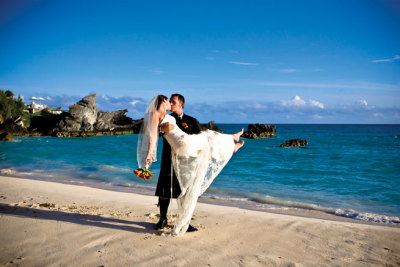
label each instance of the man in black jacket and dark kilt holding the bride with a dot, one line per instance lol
(165, 190)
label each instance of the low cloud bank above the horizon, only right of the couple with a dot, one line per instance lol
(293, 110)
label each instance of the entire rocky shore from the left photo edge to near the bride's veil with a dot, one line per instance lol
(82, 119)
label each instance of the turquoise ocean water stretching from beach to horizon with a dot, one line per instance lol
(347, 170)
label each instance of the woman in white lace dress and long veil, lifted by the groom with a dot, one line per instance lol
(197, 159)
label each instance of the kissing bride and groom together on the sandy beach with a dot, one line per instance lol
(191, 159)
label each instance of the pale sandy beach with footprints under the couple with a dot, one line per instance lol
(52, 224)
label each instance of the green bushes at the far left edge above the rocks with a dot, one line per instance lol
(9, 107)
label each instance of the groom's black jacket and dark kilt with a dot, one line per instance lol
(164, 180)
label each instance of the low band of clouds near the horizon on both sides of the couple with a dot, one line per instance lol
(292, 110)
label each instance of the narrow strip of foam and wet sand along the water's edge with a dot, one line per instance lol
(208, 199)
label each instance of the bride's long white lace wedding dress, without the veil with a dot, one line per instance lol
(197, 160)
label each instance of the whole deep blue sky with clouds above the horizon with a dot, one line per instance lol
(234, 61)
